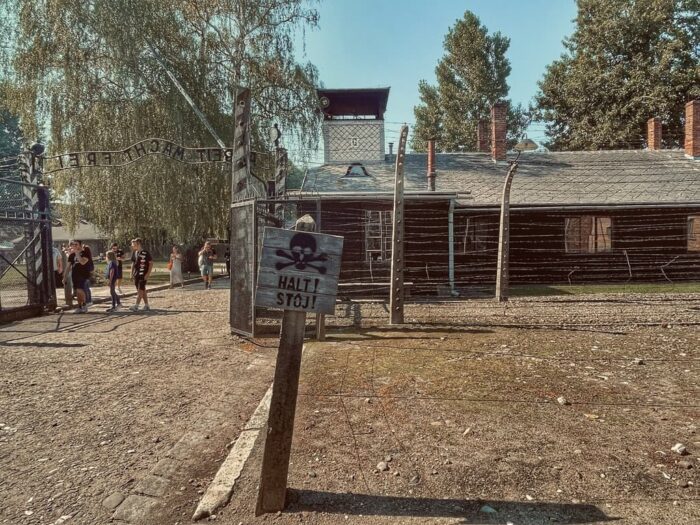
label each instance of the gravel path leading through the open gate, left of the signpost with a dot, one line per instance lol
(89, 404)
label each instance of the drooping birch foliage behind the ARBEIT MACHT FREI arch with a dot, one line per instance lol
(89, 71)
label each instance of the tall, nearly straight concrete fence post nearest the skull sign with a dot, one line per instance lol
(396, 286)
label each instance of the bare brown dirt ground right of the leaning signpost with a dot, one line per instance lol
(467, 422)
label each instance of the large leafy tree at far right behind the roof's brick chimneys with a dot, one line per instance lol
(627, 61)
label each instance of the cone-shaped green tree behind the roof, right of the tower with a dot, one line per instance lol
(471, 76)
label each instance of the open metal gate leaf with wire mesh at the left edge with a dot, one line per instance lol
(27, 284)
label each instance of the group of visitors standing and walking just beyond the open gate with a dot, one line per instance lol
(76, 274)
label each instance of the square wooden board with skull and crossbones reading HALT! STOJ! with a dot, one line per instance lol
(299, 271)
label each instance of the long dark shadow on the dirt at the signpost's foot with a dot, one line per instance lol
(473, 511)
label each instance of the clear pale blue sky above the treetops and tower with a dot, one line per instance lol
(396, 43)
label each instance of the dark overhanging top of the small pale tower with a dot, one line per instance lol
(359, 102)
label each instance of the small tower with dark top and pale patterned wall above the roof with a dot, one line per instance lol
(353, 124)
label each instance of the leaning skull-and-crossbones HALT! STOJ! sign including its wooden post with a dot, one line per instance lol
(298, 273)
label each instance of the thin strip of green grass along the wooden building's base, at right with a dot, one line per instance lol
(541, 290)
